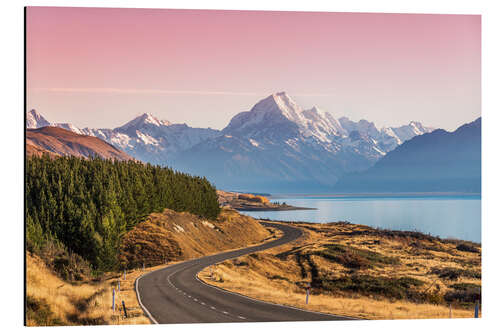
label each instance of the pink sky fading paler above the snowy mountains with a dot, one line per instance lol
(101, 67)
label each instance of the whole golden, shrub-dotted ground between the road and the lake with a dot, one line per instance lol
(359, 271)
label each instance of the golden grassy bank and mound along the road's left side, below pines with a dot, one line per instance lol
(169, 236)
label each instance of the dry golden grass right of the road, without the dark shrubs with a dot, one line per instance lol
(266, 277)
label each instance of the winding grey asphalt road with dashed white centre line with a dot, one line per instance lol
(175, 295)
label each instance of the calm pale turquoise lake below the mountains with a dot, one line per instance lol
(444, 216)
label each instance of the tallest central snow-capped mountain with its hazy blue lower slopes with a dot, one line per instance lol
(277, 146)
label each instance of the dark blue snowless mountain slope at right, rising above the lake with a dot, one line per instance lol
(434, 162)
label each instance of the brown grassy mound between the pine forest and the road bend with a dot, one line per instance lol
(171, 236)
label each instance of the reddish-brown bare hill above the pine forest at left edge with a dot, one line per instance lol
(62, 142)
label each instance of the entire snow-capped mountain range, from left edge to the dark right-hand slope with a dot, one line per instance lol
(275, 146)
